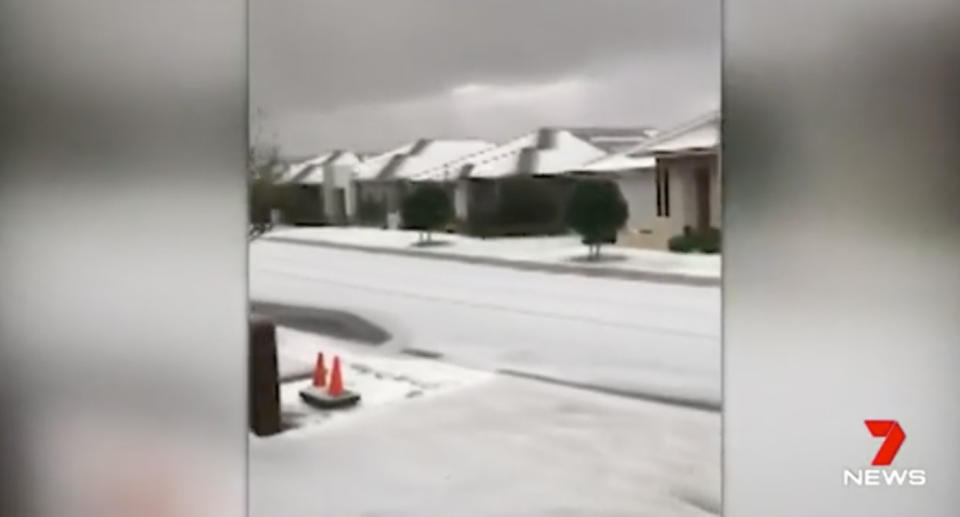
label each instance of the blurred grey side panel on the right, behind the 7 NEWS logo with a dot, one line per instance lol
(841, 272)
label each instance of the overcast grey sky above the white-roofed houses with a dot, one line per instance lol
(370, 75)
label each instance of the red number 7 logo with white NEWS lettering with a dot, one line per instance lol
(893, 437)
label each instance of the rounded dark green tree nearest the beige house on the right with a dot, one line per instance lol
(597, 211)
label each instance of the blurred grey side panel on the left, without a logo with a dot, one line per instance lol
(123, 256)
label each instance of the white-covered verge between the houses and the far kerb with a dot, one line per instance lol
(561, 250)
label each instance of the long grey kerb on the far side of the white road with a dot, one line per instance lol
(525, 265)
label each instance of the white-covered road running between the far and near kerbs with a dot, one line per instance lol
(657, 339)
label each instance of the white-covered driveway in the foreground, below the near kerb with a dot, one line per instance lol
(512, 447)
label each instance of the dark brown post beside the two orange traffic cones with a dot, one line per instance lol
(264, 388)
